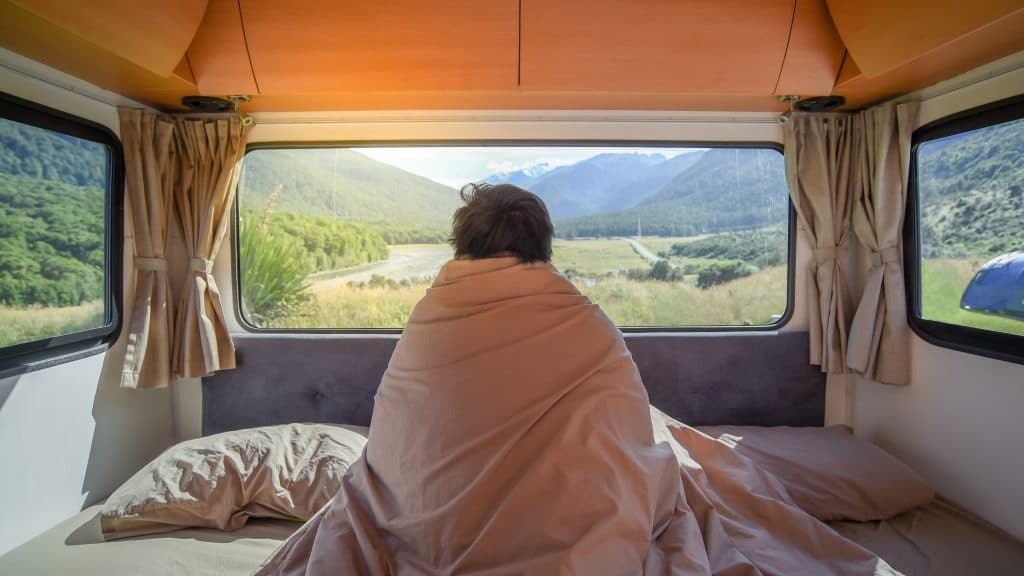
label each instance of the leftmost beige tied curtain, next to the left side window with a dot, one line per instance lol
(151, 167)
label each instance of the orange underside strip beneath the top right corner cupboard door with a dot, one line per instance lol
(990, 44)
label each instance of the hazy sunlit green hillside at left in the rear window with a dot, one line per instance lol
(345, 185)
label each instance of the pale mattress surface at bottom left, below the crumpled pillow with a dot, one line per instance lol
(77, 547)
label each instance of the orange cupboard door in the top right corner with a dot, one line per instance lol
(882, 34)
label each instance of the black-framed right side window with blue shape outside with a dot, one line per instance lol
(968, 280)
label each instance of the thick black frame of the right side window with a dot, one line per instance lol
(989, 344)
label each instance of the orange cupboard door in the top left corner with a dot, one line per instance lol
(152, 35)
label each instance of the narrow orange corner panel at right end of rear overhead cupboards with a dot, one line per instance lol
(815, 55)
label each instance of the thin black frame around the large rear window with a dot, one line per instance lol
(764, 145)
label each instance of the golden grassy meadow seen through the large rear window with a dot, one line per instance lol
(599, 268)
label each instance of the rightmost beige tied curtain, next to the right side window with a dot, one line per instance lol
(880, 337)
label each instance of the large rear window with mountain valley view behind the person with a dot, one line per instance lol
(675, 237)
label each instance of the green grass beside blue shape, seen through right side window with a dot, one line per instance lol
(944, 282)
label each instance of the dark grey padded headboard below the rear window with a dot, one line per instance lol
(753, 379)
